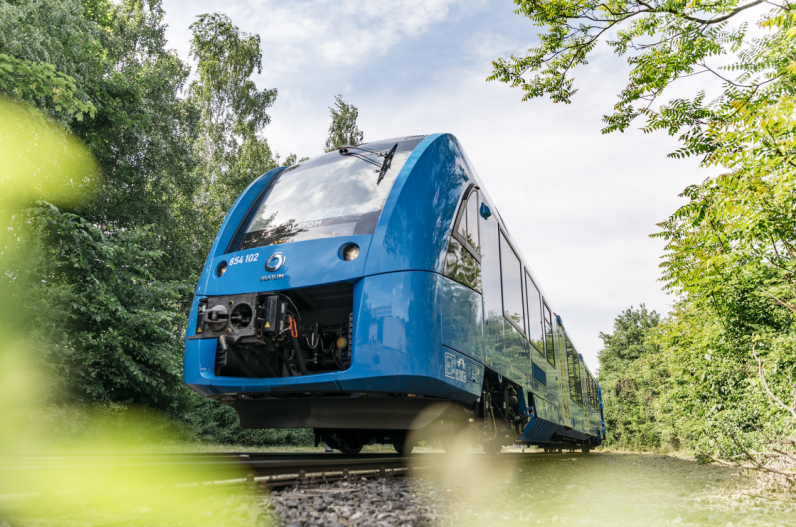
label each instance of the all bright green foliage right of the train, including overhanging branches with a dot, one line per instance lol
(730, 250)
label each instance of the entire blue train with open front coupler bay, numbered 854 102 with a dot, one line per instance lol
(375, 295)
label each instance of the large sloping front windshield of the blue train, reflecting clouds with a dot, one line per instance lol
(329, 196)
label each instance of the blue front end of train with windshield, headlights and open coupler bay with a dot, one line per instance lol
(318, 306)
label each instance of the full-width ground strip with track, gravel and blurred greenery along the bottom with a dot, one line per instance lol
(433, 489)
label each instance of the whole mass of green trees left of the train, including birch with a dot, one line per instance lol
(104, 278)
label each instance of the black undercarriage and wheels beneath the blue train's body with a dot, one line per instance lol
(349, 421)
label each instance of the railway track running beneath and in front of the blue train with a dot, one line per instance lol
(62, 473)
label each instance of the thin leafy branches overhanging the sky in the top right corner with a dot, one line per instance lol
(664, 41)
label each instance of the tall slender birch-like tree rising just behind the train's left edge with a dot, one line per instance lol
(233, 113)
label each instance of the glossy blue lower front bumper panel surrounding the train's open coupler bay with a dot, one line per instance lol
(397, 349)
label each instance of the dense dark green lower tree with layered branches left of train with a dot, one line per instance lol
(115, 335)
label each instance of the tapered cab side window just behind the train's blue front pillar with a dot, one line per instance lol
(462, 260)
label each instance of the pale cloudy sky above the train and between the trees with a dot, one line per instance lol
(580, 204)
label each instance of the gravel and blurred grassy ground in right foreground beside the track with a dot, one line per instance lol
(603, 489)
